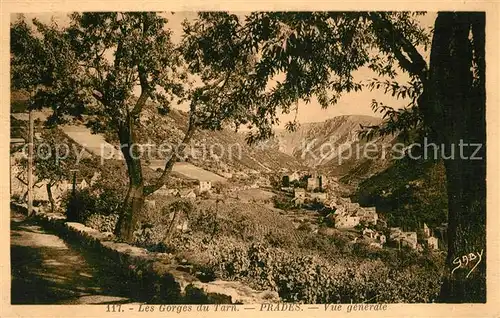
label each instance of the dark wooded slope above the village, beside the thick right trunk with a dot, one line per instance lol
(408, 193)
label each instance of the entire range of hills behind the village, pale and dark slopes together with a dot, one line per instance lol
(406, 192)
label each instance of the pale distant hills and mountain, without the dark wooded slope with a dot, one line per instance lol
(324, 146)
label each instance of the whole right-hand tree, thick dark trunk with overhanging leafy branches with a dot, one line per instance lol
(302, 46)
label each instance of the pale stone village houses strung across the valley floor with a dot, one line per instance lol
(310, 194)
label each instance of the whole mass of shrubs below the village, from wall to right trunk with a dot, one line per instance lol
(258, 247)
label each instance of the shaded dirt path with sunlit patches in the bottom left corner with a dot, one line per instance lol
(46, 270)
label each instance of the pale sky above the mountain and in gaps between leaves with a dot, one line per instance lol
(354, 103)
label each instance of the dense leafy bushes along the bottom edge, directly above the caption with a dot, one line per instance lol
(303, 278)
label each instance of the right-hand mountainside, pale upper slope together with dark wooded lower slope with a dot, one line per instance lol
(407, 192)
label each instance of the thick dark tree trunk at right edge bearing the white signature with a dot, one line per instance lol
(455, 108)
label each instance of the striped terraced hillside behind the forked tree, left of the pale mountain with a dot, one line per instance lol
(222, 151)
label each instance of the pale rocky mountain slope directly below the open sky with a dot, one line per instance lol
(333, 147)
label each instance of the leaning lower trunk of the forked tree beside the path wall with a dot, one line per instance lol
(131, 209)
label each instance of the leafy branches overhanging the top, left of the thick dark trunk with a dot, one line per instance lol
(282, 57)
